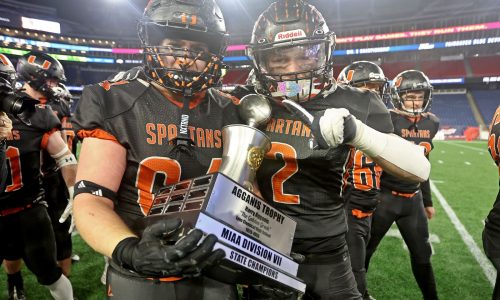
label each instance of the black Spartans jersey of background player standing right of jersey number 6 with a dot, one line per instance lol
(427, 126)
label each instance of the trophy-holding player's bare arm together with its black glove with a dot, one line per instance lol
(103, 163)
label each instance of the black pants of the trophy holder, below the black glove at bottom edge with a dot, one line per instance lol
(120, 286)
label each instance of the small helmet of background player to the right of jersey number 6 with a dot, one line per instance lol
(411, 81)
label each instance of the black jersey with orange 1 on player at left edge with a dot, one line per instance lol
(23, 157)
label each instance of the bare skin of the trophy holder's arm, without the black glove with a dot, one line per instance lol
(101, 162)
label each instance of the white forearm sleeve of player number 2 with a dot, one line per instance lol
(398, 151)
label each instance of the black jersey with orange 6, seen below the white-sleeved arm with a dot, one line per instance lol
(363, 182)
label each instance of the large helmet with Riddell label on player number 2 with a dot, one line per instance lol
(297, 27)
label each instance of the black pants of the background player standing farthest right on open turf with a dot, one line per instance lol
(409, 215)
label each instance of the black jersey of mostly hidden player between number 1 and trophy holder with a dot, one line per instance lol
(62, 112)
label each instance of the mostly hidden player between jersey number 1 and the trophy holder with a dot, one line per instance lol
(53, 183)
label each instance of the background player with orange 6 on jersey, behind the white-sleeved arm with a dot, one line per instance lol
(364, 175)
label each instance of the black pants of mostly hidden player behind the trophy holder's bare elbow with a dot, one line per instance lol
(57, 198)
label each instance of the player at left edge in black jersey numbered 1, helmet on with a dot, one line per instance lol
(25, 226)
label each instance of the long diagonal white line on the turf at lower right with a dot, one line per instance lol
(483, 261)
